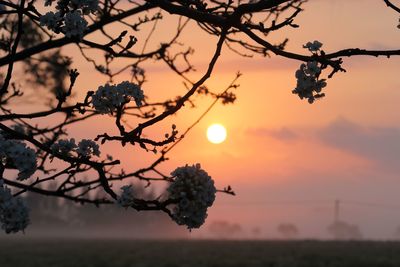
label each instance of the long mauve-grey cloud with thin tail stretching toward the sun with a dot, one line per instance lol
(380, 145)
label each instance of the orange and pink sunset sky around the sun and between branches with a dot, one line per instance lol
(288, 161)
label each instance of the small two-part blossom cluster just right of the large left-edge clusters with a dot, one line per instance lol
(85, 148)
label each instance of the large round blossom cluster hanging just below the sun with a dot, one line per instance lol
(194, 190)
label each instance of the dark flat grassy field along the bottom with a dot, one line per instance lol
(112, 253)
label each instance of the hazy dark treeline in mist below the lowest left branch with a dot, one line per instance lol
(58, 217)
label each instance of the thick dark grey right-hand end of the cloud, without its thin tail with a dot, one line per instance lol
(379, 144)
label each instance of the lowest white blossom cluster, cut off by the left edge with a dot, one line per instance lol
(14, 214)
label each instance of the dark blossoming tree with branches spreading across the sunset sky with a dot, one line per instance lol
(36, 141)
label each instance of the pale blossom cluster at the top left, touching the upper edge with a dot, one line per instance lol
(69, 16)
